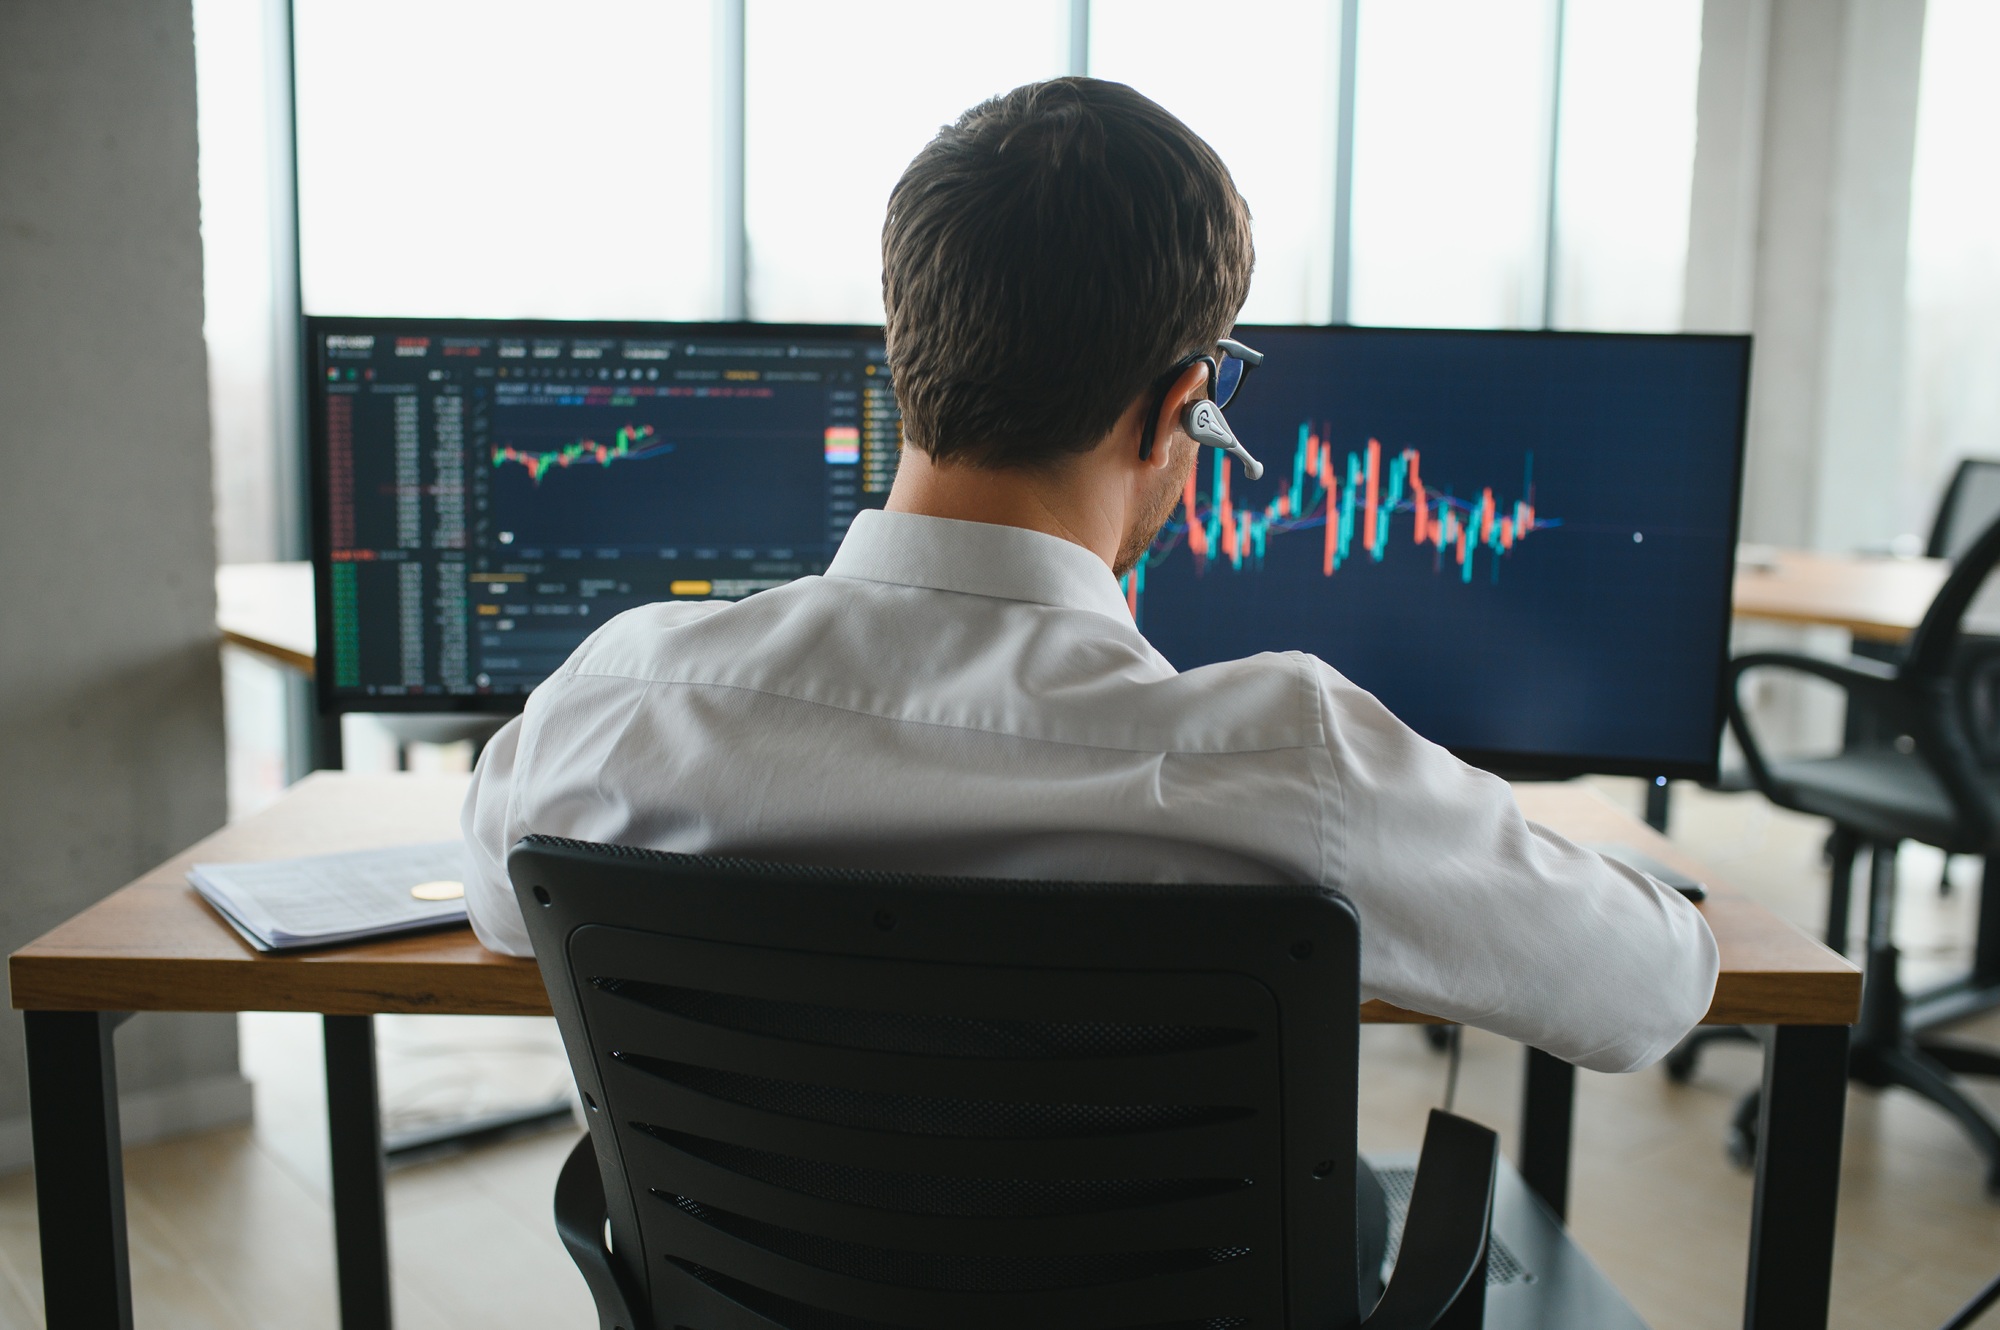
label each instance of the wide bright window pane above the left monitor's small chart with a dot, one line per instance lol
(507, 159)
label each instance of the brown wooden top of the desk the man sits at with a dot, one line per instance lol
(155, 945)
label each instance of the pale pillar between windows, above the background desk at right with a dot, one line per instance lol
(1799, 233)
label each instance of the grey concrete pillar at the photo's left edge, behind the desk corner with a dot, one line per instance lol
(111, 701)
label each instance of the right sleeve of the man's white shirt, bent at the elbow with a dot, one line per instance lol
(1477, 915)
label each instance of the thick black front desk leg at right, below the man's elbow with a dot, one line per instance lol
(1797, 1177)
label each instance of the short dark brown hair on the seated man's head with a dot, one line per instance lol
(1045, 261)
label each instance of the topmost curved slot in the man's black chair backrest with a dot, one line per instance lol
(931, 1037)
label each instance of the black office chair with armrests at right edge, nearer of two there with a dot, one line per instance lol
(1937, 783)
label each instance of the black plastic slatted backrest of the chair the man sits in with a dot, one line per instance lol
(855, 1099)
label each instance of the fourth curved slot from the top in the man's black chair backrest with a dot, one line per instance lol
(953, 1271)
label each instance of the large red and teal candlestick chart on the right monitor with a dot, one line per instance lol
(1369, 505)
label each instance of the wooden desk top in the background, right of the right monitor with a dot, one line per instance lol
(1875, 599)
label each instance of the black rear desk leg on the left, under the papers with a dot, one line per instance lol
(361, 1187)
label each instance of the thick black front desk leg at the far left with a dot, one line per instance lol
(79, 1171)
